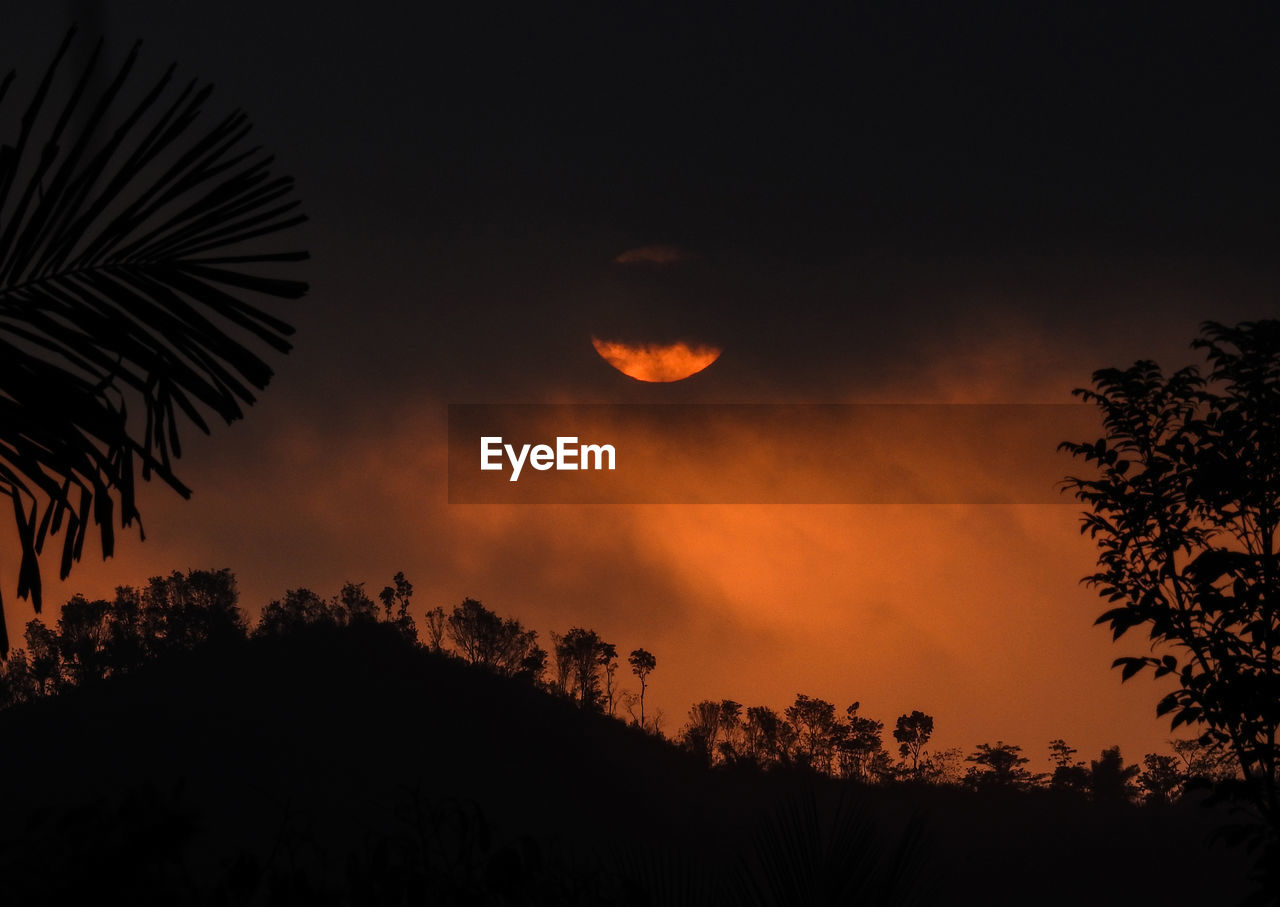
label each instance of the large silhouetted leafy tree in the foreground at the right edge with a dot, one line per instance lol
(1185, 509)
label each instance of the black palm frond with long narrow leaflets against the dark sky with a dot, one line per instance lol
(130, 256)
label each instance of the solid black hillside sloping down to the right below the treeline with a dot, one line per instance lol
(345, 766)
